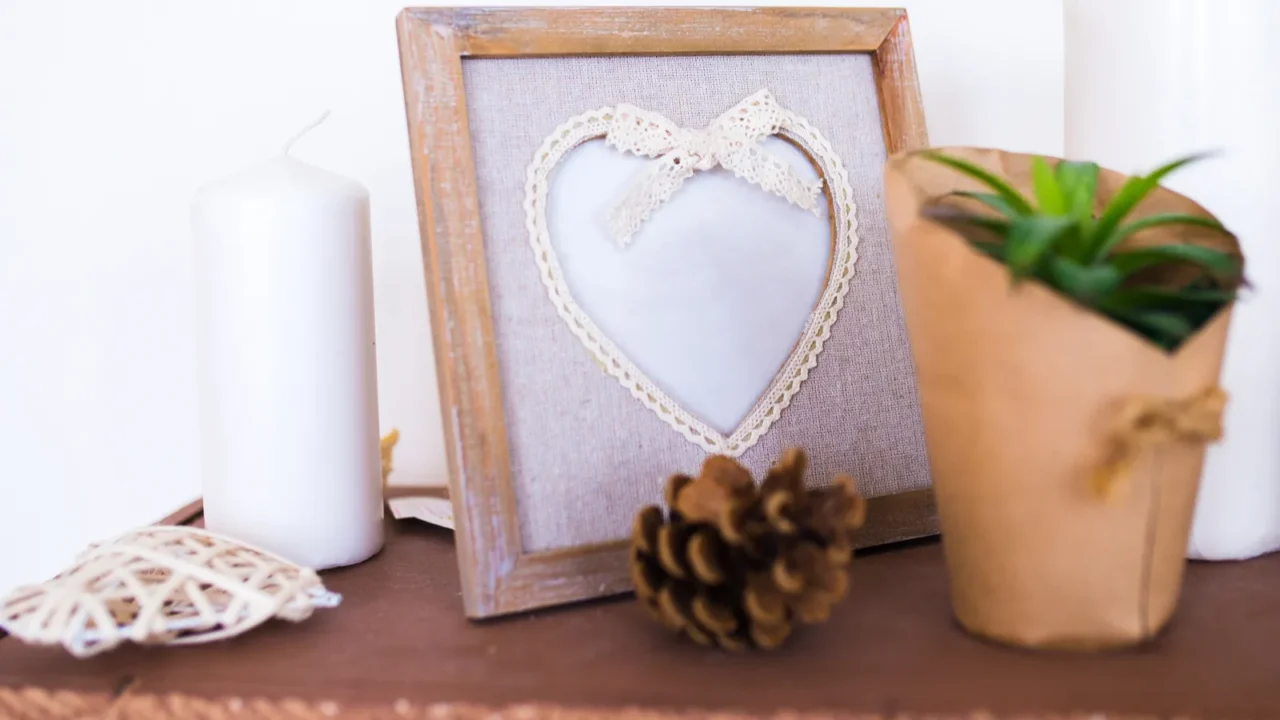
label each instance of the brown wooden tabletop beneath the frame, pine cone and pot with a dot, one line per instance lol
(400, 640)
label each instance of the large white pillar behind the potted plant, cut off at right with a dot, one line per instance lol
(1153, 80)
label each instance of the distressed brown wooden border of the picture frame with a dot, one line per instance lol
(499, 576)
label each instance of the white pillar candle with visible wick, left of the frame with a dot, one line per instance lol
(287, 366)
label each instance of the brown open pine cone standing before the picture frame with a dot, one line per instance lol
(738, 566)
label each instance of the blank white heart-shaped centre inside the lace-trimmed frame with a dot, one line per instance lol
(717, 288)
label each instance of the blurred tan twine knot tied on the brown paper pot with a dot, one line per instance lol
(1148, 422)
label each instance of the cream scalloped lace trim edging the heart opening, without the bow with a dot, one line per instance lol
(793, 375)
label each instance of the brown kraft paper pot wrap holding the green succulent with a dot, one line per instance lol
(1022, 394)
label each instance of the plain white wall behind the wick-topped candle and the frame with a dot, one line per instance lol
(112, 115)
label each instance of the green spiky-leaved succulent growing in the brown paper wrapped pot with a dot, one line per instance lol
(1062, 239)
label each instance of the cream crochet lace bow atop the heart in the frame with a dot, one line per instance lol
(730, 142)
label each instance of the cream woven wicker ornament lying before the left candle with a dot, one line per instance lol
(162, 586)
